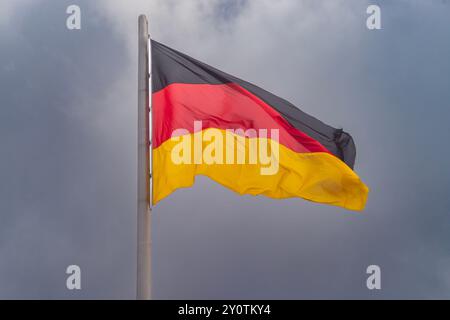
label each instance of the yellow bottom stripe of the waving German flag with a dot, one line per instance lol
(318, 177)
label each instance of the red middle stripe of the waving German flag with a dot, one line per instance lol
(221, 106)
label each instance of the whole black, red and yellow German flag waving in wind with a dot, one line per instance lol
(217, 125)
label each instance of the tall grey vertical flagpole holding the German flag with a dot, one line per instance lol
(144, 243)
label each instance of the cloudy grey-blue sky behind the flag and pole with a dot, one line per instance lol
(68, 129)
